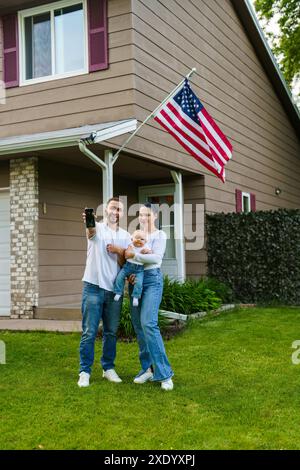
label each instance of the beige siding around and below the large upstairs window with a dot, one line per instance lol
(86, 99)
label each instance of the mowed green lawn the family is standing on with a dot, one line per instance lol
(235, 388)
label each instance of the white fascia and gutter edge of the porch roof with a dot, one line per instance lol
(64, 137)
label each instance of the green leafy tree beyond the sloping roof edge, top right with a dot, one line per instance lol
(285, 45)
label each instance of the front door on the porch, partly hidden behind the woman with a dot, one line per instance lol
(164, 194)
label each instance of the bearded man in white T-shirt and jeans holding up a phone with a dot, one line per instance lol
(107, 243)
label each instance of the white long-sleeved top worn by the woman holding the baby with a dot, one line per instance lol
(157, 241)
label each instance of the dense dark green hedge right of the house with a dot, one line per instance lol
(256, 254)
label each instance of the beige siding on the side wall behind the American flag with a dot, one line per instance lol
(171, 37)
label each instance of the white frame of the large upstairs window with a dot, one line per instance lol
(50, 7)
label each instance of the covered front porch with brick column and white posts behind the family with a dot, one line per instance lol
(49, 186)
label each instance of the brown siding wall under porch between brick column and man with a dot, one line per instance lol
(66, 190)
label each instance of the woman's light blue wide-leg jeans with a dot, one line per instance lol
(145, 322)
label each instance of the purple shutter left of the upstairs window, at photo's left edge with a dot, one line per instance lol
(11, 50)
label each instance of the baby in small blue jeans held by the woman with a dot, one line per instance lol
(139, 241)
